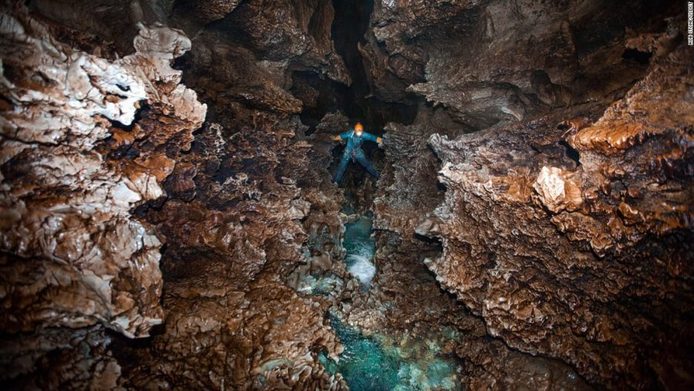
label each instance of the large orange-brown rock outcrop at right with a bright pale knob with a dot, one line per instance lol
(572, 240)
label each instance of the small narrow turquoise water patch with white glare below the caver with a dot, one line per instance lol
(360, 248)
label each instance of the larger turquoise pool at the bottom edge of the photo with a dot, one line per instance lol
(375, 364)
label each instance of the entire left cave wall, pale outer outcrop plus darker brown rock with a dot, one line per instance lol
(230, 208)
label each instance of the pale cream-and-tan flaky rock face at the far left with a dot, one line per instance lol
(73, 255)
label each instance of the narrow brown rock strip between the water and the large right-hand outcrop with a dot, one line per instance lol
(406, 197)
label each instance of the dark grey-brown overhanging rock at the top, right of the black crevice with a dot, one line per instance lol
(512, 61)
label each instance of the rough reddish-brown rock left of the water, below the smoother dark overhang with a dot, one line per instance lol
(230, 249)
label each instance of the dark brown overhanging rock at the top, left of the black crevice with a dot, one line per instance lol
(252, 56)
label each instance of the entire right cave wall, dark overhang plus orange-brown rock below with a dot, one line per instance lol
(572, 239)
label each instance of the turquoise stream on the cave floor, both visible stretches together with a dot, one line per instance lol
(381, 361)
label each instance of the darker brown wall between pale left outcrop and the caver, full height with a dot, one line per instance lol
(250, 211)
